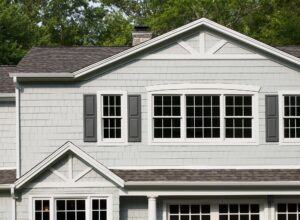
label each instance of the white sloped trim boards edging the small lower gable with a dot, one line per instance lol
(68, 147)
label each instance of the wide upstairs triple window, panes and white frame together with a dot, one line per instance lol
(203, 116)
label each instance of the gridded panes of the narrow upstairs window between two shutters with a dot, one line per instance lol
(111, 116)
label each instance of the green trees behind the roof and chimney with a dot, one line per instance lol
(24, 23)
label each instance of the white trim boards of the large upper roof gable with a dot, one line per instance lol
(196, 24)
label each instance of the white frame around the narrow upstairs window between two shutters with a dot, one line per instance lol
(124, 126)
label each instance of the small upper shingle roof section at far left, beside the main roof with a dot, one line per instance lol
(6, 82)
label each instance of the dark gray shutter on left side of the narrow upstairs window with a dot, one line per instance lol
(90, 118)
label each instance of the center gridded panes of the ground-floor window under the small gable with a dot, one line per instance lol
(70, 209)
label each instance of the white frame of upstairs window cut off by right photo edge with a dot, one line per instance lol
(282, 139)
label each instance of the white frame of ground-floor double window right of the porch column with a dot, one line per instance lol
(214, 205)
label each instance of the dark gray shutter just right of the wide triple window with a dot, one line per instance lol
(272, 119)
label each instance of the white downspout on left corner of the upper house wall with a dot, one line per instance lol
(17, 91)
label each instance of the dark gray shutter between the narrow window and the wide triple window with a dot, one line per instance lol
(134, 118)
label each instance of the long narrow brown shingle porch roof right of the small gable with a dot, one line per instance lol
(207, 175)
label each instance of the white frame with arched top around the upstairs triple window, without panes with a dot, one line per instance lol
(207, 89)
